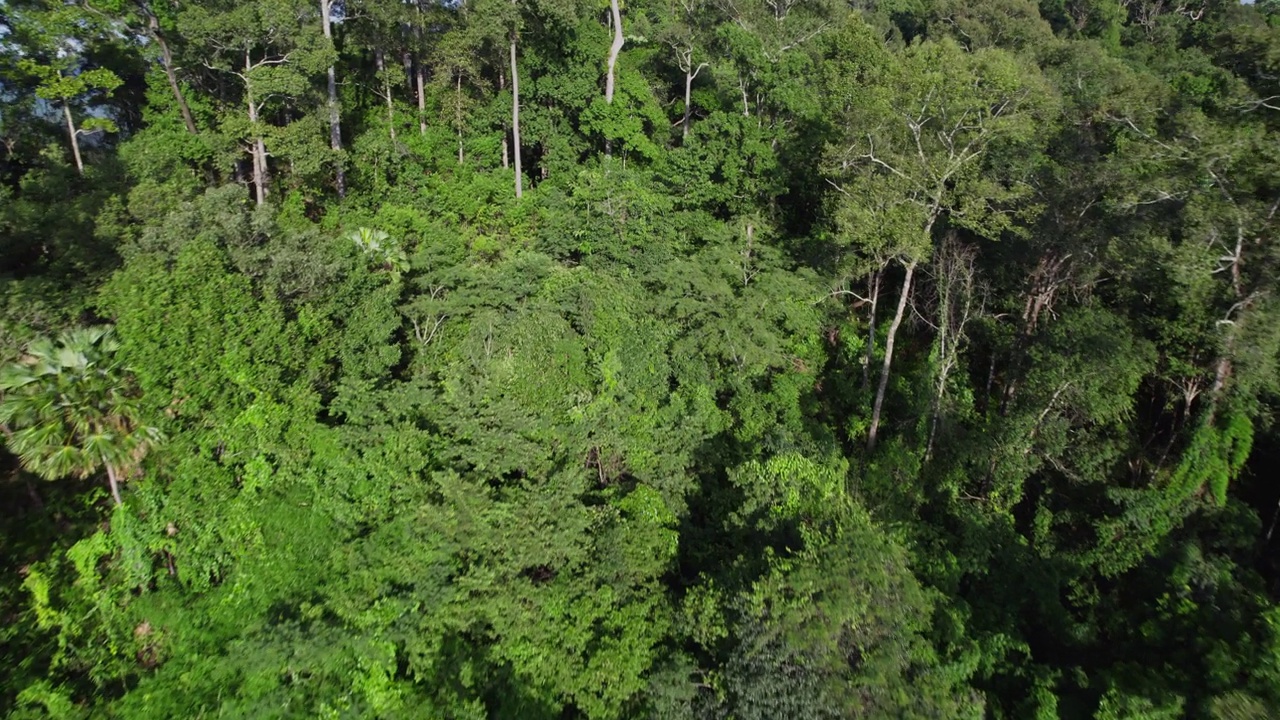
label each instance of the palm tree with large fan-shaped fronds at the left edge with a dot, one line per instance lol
(67, 409)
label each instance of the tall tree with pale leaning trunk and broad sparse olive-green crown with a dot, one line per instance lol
(913, 154)
